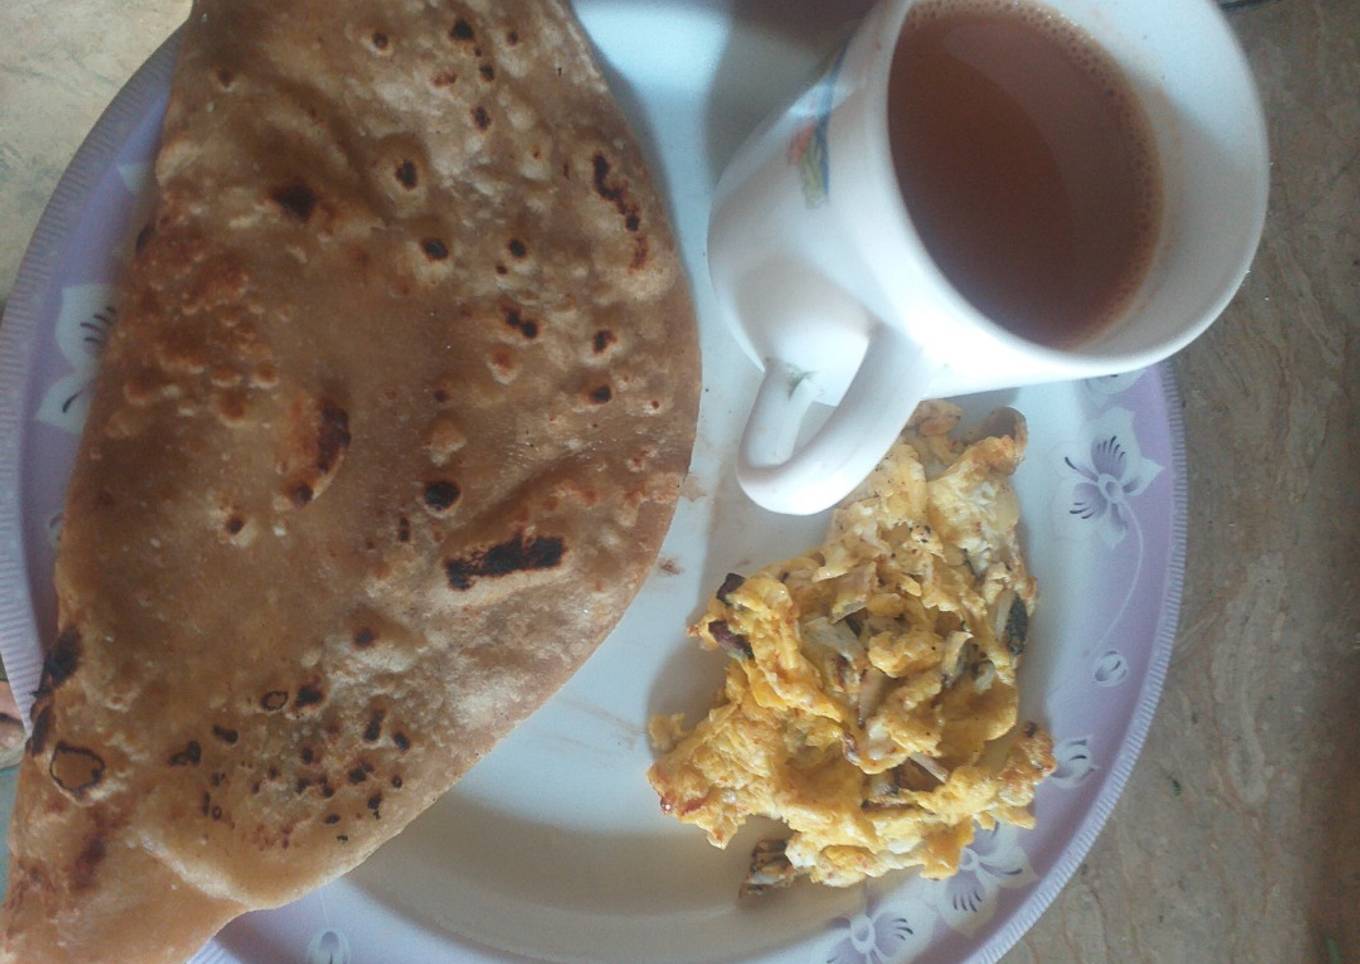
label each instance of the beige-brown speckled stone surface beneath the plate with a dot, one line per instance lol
(1238, 838)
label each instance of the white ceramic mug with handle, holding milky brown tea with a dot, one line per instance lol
(829, 288)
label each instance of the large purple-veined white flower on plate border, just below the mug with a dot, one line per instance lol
(1106, 474)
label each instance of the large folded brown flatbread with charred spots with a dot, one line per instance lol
(388, 436)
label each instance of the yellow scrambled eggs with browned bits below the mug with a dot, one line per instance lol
(871, 702)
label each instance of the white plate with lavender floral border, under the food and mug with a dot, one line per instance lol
(554, 848)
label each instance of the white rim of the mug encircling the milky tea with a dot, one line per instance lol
(1081, 361)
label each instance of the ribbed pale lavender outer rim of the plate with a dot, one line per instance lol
(20, 341)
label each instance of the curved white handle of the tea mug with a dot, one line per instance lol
(886, 391)
